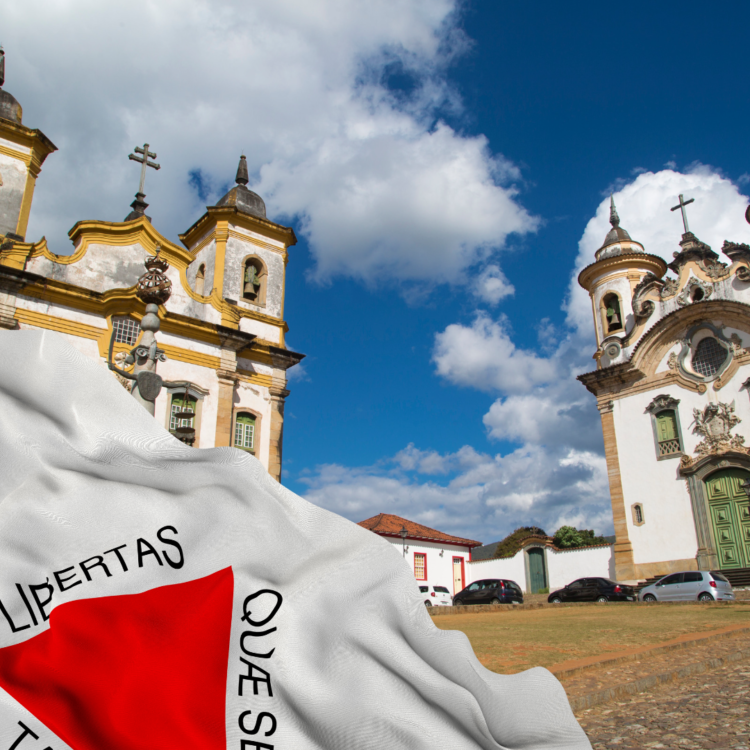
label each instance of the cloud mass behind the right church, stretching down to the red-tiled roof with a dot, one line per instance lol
(557, 475)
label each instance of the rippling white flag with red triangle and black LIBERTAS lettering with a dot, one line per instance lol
(157, 596)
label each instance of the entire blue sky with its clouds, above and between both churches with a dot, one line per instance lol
(447, 168)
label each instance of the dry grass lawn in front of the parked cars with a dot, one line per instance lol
(511, 641)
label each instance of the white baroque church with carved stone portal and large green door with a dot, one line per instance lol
(672, 385)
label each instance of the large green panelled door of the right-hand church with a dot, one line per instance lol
(729, 510)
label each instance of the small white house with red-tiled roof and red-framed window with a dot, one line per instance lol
(435, 557)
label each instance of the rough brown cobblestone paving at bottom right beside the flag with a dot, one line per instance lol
(708, 711)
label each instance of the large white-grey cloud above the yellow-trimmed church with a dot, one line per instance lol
(380, 186)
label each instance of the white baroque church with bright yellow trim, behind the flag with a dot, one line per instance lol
(222, 330)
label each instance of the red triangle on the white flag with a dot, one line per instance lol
(131, 672)
